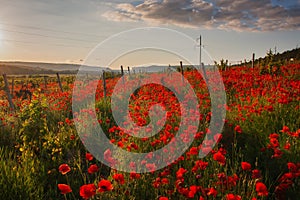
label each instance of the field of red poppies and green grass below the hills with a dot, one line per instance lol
(256, 156)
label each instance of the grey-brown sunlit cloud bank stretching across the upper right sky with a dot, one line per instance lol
(238, 15)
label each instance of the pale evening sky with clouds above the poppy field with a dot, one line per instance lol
(66, 31)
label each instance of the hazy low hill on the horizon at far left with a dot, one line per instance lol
(27, 68)
